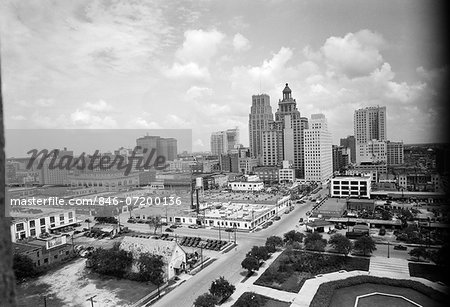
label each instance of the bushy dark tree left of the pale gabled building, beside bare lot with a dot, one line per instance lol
(113, 261)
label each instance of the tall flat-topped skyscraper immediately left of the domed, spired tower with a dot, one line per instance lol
(258, 120)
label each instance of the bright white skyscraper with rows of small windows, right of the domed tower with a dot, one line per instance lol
(318, 150)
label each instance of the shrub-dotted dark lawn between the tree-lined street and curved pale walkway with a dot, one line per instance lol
(293, 267)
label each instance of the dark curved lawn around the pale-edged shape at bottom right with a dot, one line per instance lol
(344, 297)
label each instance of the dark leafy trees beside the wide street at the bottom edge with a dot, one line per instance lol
(219, 292)
